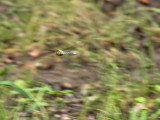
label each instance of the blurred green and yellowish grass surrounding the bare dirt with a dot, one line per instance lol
(127, 90)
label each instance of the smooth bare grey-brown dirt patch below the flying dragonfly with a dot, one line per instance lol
(63, 73)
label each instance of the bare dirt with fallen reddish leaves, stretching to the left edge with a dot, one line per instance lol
(55, 70)
